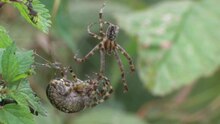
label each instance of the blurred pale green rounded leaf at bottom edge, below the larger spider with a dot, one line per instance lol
(107, 116)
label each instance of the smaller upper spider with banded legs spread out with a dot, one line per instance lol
(108, 45)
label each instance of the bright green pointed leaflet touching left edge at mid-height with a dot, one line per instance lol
(10, 64)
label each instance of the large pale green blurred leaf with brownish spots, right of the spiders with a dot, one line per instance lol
(178, 42)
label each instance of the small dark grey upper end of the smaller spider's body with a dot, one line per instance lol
(112, 32)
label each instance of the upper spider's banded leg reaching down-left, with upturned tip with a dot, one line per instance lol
(91, 53)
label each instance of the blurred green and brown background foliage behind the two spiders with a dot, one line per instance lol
(175, 46)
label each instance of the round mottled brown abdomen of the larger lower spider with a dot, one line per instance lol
(63, 98)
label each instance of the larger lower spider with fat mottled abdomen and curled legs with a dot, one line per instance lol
(75, 95)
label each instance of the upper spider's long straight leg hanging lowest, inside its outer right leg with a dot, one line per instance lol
(122, 71)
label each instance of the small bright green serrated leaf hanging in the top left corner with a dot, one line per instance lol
(43, 17)
